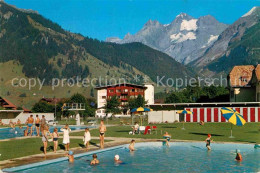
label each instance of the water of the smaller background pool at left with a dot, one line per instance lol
(7, 133)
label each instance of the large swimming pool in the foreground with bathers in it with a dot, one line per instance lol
(153, 157)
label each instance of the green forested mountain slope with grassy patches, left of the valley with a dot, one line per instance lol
(47, 51)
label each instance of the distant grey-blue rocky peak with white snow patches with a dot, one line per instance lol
(185, 38)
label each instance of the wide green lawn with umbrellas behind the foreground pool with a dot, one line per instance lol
(220, 132)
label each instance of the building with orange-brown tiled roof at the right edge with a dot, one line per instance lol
(244, 83)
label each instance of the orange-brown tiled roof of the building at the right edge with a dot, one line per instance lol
(240, 76)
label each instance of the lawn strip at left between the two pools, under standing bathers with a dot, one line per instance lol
(25, 147)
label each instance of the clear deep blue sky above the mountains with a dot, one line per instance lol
(105, 18)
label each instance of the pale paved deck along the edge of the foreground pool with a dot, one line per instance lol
(115, 141)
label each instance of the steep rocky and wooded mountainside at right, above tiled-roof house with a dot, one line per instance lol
(237, 45)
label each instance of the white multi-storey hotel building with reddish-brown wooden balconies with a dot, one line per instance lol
(124, 92)
